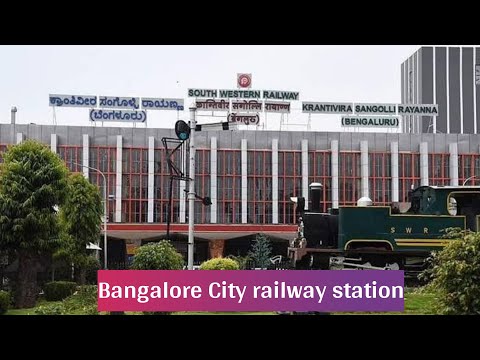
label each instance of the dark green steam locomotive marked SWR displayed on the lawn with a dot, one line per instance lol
(400, 236)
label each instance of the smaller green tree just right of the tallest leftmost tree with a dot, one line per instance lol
(80, 220)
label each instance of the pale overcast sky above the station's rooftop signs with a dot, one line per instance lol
(320, 73)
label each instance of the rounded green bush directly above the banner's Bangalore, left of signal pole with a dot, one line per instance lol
(157, 256)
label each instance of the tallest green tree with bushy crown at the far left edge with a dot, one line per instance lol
(32, 183)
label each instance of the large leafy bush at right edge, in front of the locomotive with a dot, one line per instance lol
(455, 273)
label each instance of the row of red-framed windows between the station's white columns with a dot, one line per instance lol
(259, 179)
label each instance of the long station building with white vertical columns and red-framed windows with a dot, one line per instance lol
(249, 176)
